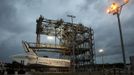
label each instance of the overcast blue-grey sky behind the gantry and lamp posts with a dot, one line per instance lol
(18, 22)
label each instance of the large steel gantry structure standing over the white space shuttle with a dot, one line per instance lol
(71, 36)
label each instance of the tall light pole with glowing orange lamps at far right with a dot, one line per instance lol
(116, 9)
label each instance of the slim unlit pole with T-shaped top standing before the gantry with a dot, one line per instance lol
(73, 53)
